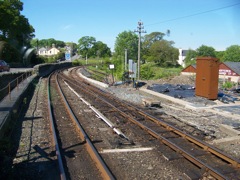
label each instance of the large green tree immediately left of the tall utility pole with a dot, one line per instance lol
(126, 40)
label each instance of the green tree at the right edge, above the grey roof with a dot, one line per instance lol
(232, 53)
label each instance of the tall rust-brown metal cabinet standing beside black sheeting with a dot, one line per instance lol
(207, 71)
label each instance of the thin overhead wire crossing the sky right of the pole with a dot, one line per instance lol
(187, 16)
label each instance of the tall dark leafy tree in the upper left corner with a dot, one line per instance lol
(15, 30)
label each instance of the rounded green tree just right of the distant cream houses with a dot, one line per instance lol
(85, 45)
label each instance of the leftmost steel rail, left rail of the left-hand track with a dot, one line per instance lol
(57, 149)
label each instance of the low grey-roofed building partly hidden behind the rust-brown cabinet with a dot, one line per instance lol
(227, 70)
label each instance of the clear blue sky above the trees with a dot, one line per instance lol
(192, 23)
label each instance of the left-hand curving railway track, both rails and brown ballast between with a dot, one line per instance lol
(76, 154)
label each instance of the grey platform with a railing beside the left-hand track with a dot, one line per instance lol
(11, 103)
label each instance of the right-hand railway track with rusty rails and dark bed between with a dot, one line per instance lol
(207, 160)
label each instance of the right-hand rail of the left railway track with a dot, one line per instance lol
(106, 173)
